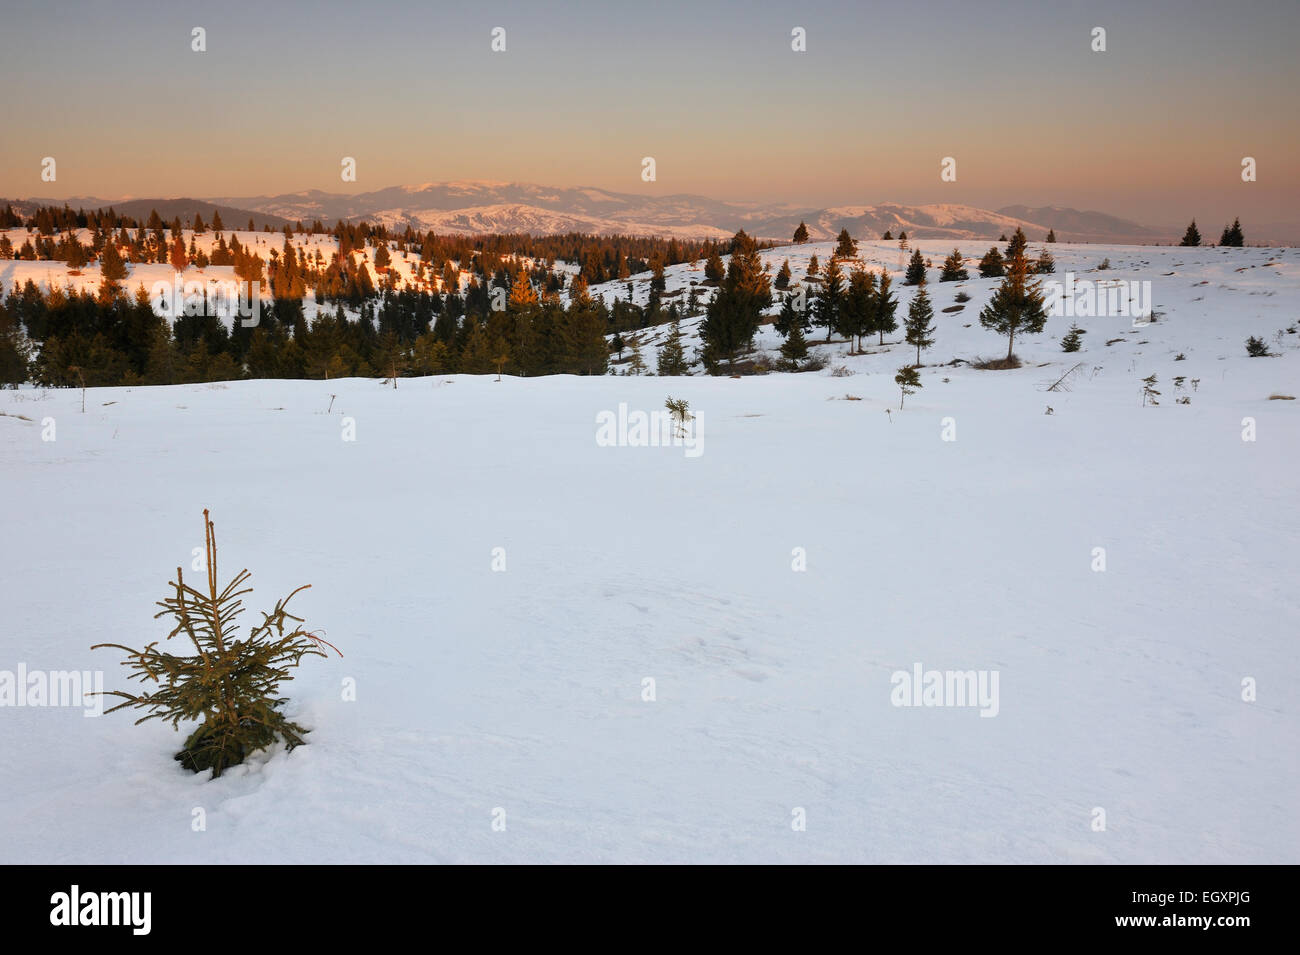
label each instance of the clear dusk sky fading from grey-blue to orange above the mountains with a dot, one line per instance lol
(1155, 129)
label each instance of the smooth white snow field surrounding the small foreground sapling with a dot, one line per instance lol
(523, 689)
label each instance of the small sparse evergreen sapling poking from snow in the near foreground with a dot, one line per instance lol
(231, 685)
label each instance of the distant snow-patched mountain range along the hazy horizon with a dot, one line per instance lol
(469, 209)
